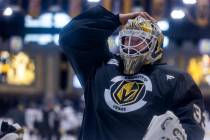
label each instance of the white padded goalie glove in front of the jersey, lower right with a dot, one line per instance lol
(165, 127)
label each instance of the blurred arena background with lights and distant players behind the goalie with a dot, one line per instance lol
(38, 88)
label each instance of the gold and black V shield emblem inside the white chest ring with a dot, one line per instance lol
(127, 92)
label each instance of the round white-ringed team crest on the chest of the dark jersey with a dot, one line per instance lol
(126, 93)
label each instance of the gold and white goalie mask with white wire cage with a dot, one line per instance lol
(140, 44)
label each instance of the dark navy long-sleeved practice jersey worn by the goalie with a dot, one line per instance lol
(118, 106)
